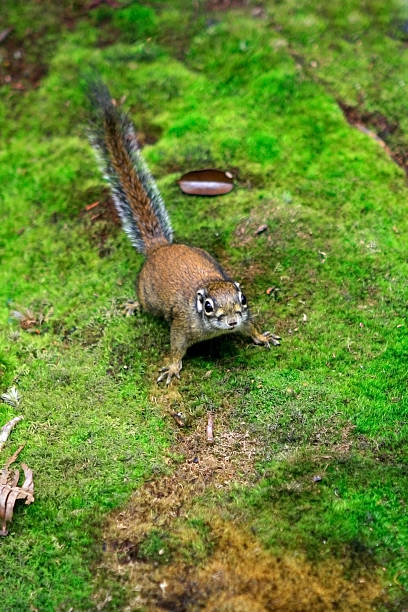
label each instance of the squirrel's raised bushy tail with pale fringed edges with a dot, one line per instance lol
(135, 193)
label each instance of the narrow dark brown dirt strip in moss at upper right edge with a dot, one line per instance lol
(378, 127)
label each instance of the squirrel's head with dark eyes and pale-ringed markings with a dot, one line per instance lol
(222, 306)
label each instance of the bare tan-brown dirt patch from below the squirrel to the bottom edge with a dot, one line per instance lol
(235, 573)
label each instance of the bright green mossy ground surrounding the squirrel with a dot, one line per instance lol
(256, 90)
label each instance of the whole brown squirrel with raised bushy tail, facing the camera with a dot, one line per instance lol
(183, 284)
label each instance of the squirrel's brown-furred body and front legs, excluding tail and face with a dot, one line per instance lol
(168, 285)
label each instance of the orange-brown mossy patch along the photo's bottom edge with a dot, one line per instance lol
(239, 575)
